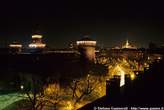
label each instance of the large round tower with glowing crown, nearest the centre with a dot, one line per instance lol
(86, 47)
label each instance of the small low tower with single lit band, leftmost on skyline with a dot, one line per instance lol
(15, 47)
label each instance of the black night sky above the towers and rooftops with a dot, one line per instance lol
(110, 23)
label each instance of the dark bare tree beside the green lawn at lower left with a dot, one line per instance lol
(32, 87)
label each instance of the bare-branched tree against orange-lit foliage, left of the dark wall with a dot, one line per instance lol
(82, 88)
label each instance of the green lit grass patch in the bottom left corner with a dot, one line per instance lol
(7, 99)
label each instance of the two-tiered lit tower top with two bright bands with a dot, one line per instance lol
(37, 41)
